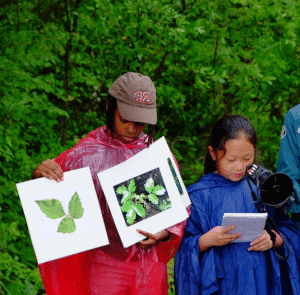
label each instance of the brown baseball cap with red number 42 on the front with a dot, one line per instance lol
(136, 97)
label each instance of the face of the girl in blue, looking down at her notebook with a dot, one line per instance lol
(232, 163)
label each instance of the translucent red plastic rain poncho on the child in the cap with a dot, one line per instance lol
(112, 266)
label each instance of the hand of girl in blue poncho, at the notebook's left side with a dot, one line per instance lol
(217, 236)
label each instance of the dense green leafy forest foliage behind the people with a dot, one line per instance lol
(206, 58)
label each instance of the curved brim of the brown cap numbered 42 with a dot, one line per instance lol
(136, 114)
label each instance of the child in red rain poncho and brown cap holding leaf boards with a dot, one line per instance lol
(141, 268)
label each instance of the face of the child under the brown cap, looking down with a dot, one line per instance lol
(126, 131)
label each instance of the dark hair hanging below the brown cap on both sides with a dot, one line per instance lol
(110, 119)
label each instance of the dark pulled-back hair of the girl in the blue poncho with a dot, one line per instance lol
(226, 128)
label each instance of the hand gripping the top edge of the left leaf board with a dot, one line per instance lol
(50, 170)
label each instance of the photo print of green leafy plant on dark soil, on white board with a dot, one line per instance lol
(142, 197)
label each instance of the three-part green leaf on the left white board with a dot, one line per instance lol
(53, 209)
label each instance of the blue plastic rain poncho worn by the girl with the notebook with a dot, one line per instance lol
(231, 269)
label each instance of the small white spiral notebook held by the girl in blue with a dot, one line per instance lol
(250, 225)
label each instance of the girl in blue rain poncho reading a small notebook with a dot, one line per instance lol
(207, 261)
